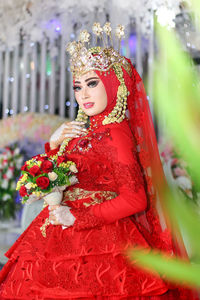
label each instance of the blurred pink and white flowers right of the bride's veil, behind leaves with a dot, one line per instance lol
(179, 171)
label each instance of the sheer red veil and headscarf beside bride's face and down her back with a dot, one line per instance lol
(151, 222)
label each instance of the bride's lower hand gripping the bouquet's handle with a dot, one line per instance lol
(61, 215)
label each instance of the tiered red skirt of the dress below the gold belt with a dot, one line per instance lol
(87, 264)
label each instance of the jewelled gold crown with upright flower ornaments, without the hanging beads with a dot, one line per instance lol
(96, 58)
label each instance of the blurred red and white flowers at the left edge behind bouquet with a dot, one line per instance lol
(10, 164)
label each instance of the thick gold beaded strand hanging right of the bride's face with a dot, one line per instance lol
(118, 113)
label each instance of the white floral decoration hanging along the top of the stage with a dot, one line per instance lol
(35, 20)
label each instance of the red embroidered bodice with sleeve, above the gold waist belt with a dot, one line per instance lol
(107, 161)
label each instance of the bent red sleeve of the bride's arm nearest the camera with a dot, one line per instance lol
(129, 184)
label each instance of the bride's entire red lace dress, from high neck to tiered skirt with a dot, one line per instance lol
(87, 260)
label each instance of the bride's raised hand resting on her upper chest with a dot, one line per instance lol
(67, 130)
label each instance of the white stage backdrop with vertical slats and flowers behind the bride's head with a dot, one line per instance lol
(34, 67)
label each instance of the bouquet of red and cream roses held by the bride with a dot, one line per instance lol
(43, 175)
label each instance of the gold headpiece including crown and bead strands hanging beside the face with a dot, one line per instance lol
(101, 59)
